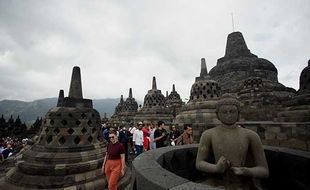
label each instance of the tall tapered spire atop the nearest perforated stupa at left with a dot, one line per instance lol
(76, 84)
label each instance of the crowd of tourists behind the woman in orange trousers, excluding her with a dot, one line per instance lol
(147, 136)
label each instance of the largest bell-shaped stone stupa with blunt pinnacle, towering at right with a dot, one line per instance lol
(239, 64)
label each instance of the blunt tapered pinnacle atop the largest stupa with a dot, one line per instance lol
(236, 46)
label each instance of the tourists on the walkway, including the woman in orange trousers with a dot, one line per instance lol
(135, 140)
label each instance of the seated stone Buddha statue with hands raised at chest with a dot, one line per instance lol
(239, 158)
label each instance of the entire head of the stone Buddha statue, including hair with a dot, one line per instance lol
(228, 110)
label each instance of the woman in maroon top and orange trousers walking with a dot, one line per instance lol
(114, 162)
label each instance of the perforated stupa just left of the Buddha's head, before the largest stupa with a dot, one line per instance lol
(201, 107)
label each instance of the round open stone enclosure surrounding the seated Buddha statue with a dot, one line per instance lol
(174, 168)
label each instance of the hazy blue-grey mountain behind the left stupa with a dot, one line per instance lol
(29, 111)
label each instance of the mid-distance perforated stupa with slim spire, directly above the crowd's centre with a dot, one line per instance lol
(154, 107)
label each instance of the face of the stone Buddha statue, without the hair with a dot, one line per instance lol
(228, 114)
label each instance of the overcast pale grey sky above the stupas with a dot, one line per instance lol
(121, 44)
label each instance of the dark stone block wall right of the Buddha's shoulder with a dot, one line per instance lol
(282, 134)
